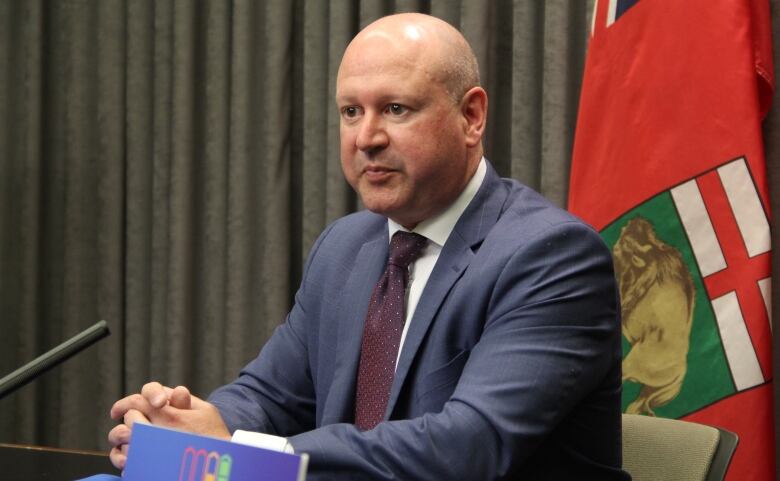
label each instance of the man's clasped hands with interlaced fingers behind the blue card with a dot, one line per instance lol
(163, 406)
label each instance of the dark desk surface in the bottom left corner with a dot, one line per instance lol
(30, 463)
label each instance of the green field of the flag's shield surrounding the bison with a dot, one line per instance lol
(706, 377)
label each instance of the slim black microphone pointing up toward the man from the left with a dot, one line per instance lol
(46, 361)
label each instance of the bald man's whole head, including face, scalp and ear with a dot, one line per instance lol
(412, 116)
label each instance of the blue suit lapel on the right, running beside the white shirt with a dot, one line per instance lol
(477, 220)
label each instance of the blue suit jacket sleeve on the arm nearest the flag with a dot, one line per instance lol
(548, 343)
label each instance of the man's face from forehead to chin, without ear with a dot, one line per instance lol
(402, 135)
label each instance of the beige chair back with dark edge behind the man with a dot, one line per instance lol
(658, 449)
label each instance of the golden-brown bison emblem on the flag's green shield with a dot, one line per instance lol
(657, 297)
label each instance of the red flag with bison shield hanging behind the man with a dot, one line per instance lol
(669, 166)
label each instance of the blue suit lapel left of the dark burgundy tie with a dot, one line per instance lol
(370, 263)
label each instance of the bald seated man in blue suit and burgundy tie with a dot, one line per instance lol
(509, 361)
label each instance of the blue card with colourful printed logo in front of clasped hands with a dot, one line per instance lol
(162, 454)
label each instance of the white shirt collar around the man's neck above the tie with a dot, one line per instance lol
(439, 227)
